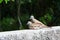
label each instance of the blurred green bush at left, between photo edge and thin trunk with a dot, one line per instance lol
(9, 24)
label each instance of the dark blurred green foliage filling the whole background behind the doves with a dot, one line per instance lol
(47, 11)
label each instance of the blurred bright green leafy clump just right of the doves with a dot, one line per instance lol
(47, 18)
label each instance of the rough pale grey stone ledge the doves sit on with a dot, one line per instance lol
(52, 33)
